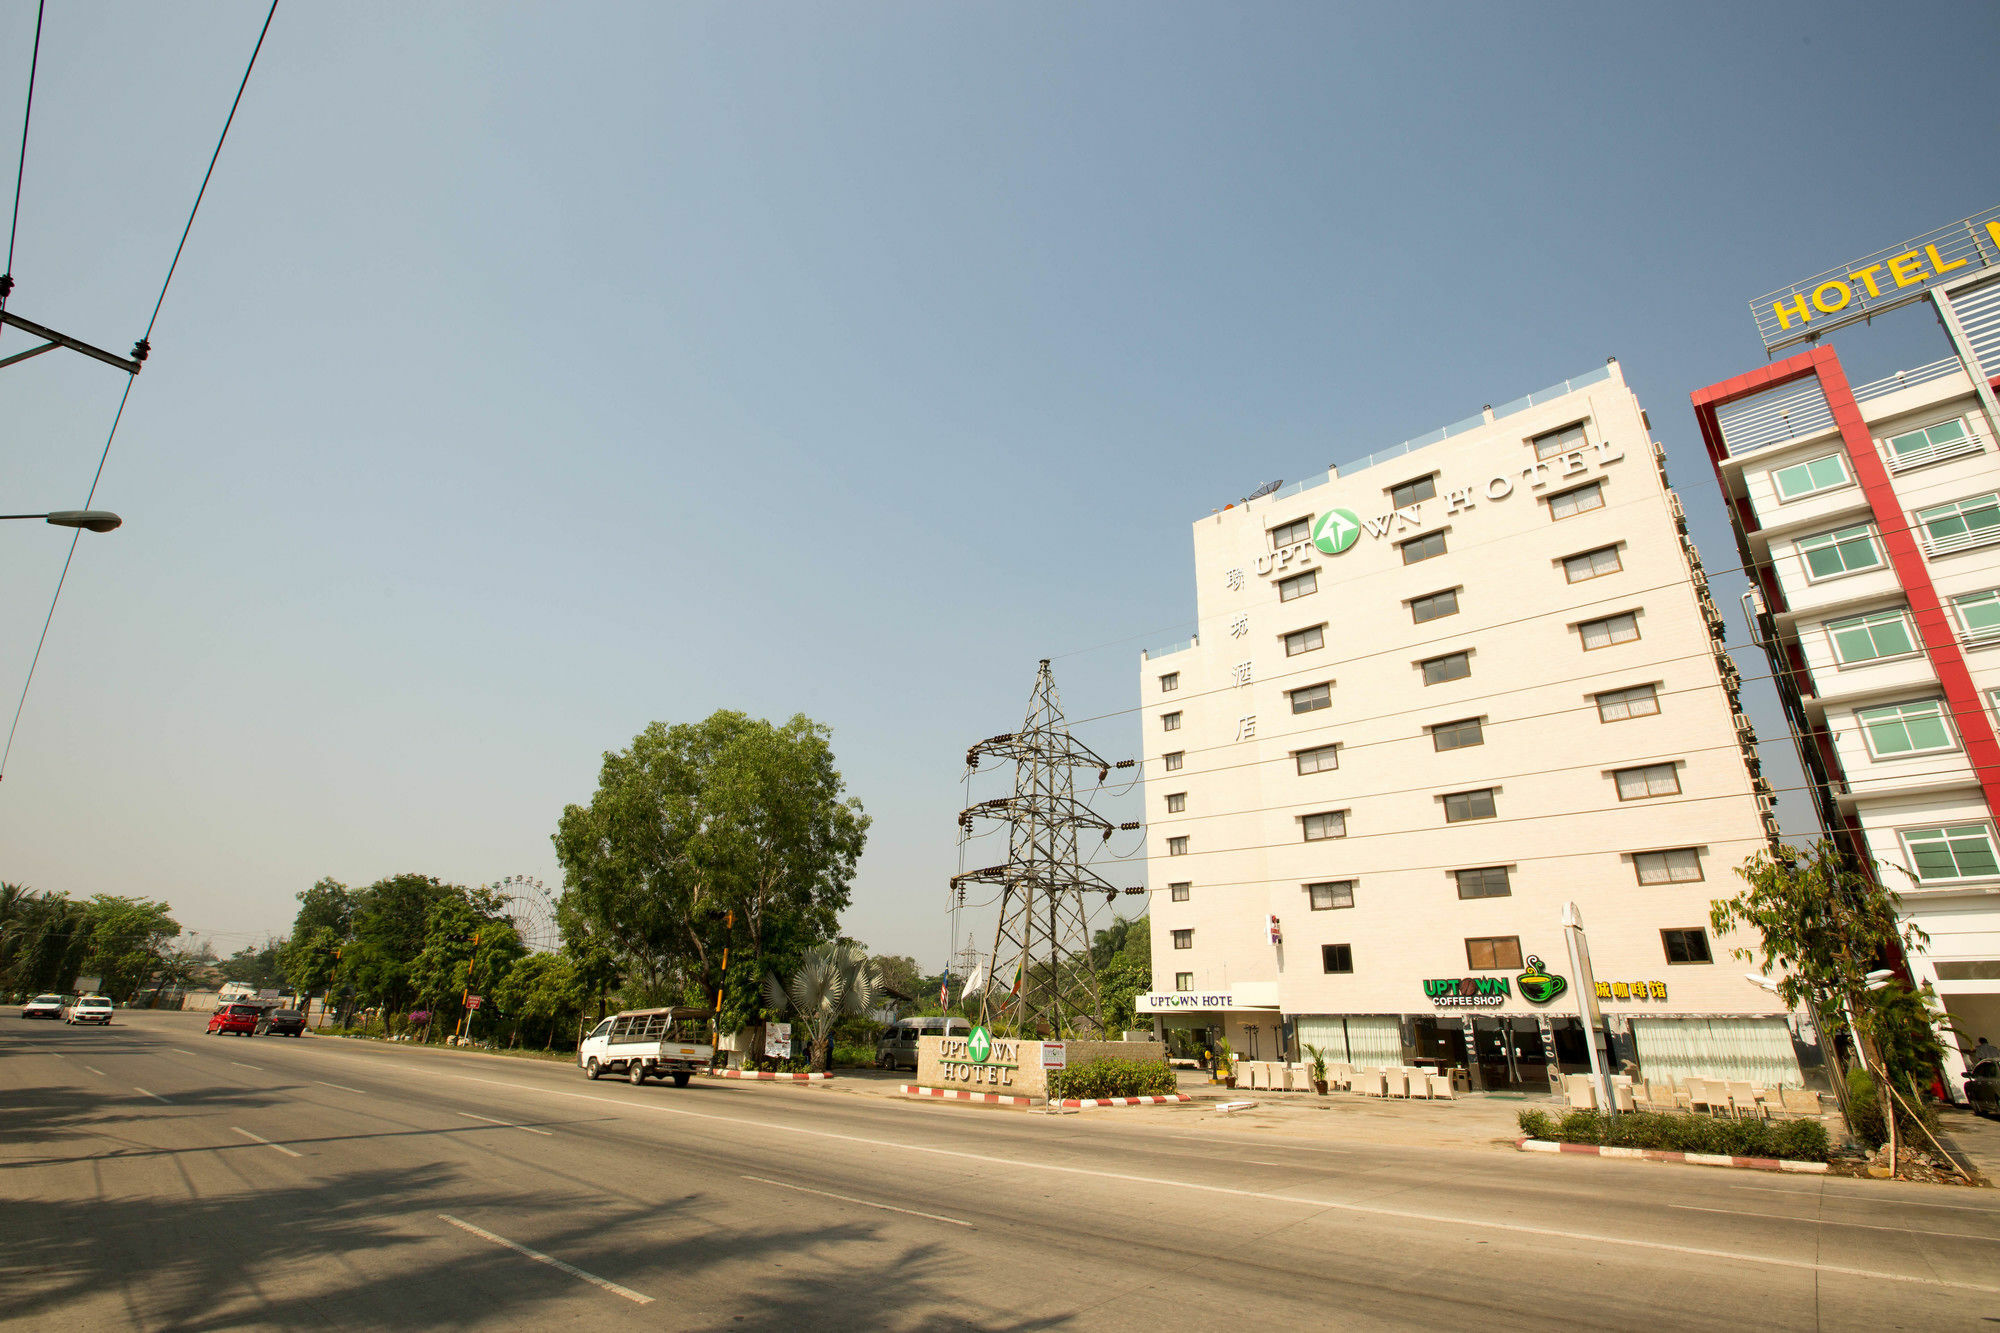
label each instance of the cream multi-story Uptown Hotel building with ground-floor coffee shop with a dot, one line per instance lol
(1437, 696)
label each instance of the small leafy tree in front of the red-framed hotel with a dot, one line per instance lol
(1825, 922)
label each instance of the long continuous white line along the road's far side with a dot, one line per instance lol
(1585, 1238)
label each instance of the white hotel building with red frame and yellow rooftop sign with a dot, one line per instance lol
(1871, 523)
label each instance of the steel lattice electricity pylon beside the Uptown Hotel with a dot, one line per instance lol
(1041, 962)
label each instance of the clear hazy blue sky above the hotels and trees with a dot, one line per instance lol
(535, 373)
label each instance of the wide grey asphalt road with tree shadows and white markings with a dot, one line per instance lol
(163, 1180)
